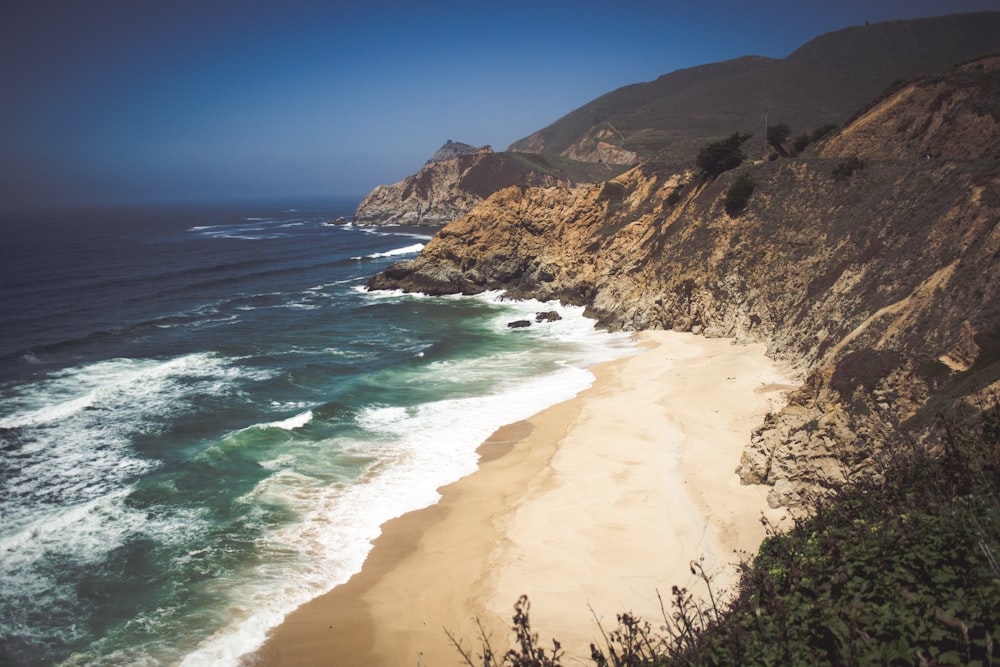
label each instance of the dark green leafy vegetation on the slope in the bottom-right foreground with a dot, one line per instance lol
(899, 569)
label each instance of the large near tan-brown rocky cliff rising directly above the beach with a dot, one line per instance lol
(869, 263)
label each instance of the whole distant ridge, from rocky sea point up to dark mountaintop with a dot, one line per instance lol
(667, 120)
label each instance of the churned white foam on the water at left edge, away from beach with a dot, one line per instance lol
(70, 469)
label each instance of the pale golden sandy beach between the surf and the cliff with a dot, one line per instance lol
(590, 507)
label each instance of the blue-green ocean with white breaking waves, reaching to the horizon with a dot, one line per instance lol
(205, 418)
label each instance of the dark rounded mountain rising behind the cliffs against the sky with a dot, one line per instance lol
(823, 82)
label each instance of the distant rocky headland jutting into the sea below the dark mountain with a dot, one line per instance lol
(458, 177)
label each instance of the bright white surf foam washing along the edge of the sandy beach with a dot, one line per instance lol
(414, 451)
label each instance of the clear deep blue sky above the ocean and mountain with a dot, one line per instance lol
(149, 101)
